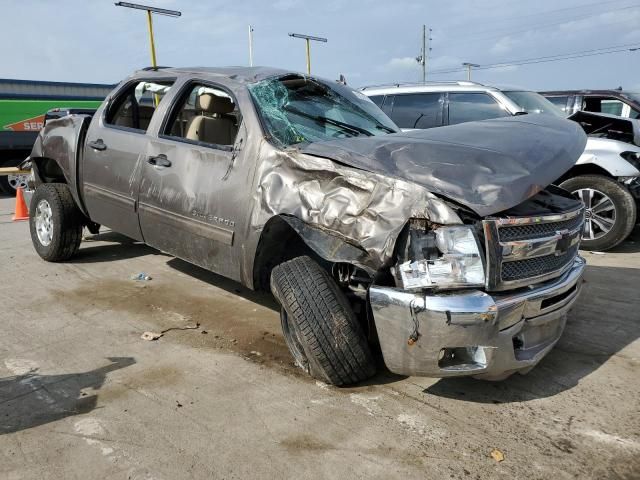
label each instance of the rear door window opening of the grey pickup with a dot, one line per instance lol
(134, 107)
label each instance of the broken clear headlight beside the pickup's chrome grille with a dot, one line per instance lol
(450, 257)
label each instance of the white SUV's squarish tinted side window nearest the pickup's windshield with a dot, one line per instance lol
(420, 110)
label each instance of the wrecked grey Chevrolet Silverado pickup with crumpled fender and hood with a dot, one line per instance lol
(445, 246)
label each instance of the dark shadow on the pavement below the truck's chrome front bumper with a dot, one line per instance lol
(601, 324)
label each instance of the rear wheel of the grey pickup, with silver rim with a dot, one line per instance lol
(55, 222)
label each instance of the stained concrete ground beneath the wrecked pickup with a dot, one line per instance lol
(83, 396)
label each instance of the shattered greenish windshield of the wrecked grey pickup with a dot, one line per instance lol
(297, 109)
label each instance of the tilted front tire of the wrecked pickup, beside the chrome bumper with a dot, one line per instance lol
(318, 324)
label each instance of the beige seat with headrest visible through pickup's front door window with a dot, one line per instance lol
(210, 125)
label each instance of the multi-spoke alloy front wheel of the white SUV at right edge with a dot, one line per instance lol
(594, 191)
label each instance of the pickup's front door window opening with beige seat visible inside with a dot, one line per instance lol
(207, 115)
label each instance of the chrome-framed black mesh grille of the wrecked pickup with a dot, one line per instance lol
(526, 250)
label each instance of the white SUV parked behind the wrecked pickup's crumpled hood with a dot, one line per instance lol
(606, 177)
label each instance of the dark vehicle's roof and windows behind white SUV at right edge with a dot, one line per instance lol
(613, 102)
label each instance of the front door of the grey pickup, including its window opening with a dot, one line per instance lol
(188, 186)
